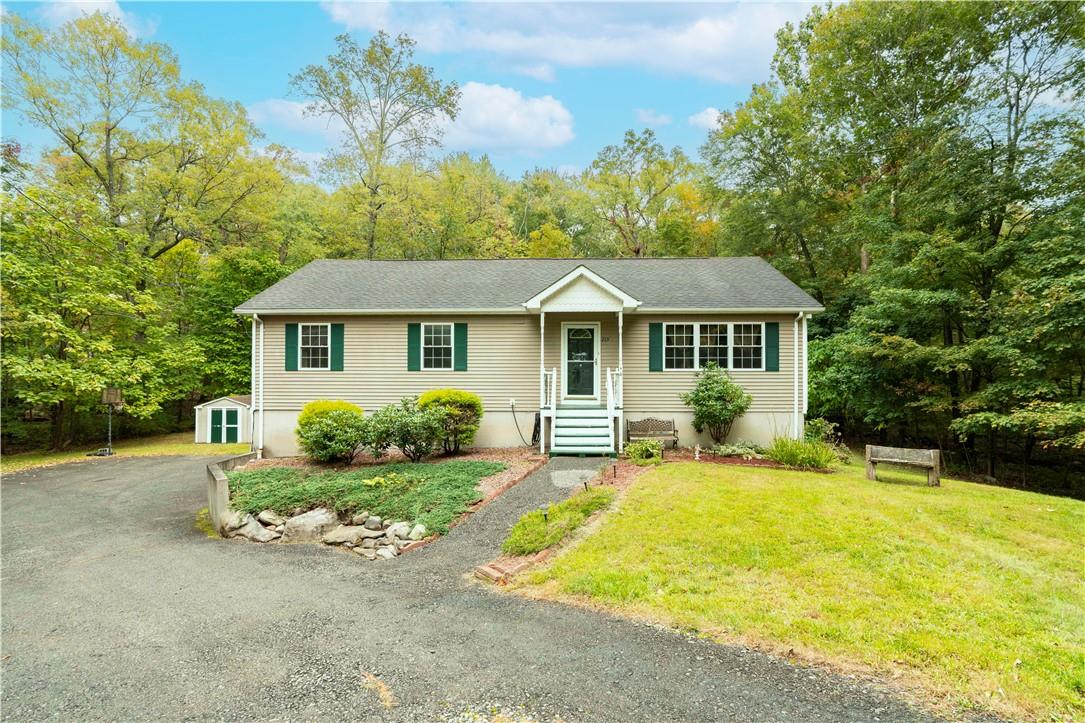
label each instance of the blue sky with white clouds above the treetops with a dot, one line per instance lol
(544, 84)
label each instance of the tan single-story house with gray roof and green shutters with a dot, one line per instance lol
(584, 344)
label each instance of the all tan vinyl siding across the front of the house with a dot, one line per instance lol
(504, 362)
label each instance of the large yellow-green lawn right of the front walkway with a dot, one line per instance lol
(972, 595)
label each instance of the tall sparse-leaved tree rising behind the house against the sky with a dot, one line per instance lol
(391, 110)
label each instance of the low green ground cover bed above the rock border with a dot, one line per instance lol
(433, 494)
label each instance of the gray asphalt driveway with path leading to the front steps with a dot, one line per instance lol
(114, 606)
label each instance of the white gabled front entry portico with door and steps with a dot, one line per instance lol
(581, 395)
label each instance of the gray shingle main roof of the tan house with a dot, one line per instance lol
(497, 285)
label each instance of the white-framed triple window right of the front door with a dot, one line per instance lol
(729, 346)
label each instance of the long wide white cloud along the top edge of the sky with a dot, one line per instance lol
(726, 43)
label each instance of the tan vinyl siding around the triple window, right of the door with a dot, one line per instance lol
(658, 391)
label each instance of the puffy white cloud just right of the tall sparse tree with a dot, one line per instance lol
(503, 120)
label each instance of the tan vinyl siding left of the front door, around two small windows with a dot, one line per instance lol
(503, 363)
